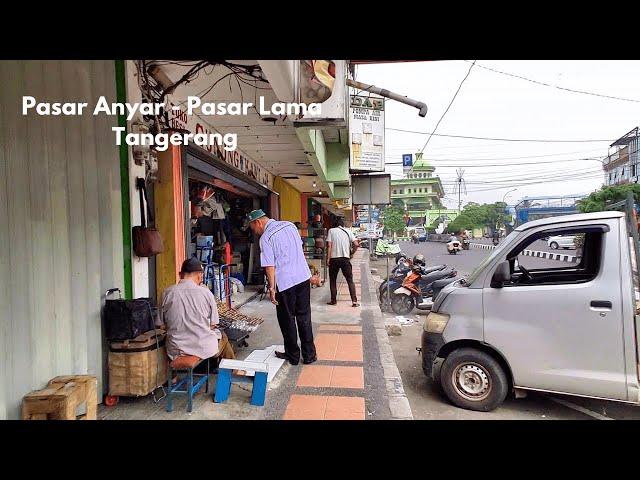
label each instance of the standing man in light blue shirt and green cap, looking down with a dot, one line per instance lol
(288, 275)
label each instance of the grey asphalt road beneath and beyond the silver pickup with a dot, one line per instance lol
(426, 400)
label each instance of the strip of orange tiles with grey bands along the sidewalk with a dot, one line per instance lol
(336, 344)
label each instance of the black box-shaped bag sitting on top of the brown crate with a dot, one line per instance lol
(126, 319)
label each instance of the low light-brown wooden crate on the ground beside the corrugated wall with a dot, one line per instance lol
(61, 399)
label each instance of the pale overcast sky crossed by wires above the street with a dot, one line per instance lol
(499, 106)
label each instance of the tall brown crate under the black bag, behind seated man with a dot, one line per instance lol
(137, 366)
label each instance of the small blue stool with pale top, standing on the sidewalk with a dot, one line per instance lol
(226, 378)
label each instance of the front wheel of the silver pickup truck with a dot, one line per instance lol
(473, 380)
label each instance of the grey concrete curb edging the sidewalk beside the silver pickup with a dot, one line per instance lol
(398, 401)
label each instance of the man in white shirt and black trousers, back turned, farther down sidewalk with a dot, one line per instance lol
(339, 248)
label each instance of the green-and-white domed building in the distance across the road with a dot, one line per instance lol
(419, 194)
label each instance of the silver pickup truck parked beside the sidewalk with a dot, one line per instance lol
(568, 328)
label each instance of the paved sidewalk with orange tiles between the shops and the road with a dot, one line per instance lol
(355, 377)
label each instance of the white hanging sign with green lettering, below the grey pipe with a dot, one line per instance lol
(366, 130)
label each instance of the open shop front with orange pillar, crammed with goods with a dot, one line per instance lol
(209, 200)
